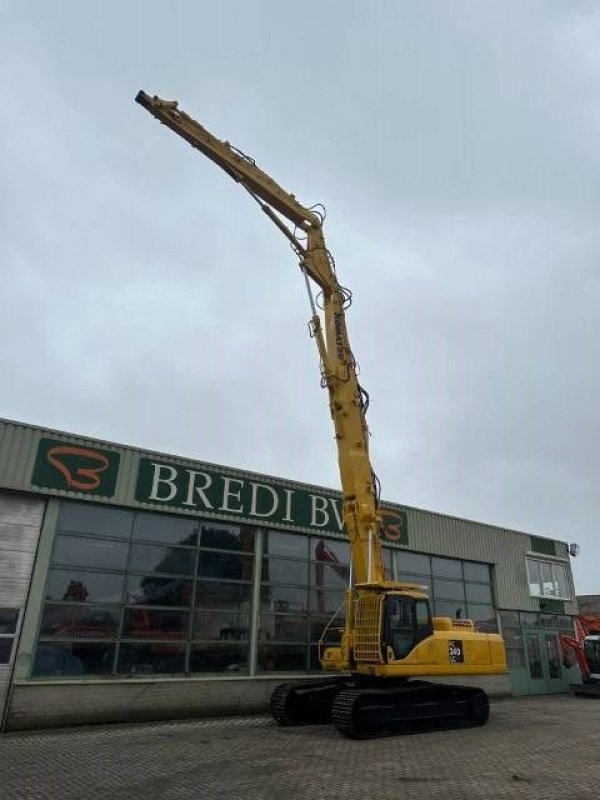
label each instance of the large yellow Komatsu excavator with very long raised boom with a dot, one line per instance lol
(389, 640)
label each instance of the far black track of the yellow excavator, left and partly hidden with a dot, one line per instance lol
(304, 702)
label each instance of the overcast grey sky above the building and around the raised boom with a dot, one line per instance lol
(146, 300)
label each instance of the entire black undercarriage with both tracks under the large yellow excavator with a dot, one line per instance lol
(362, 708)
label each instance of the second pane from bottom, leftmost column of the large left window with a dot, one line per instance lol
(79, 621)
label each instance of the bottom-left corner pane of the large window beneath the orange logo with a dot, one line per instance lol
(73, 658)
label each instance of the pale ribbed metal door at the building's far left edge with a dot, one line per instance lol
(20, 525)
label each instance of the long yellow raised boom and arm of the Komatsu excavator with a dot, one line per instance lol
(347, 400)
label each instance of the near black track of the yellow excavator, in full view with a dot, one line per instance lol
(361, 713)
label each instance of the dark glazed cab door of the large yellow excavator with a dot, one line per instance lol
(407, 621)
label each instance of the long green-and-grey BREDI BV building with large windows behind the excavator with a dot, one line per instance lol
(137, 585)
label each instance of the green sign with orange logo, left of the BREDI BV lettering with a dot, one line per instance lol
(79, 468)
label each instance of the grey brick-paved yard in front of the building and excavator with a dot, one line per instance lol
(532, 749)
